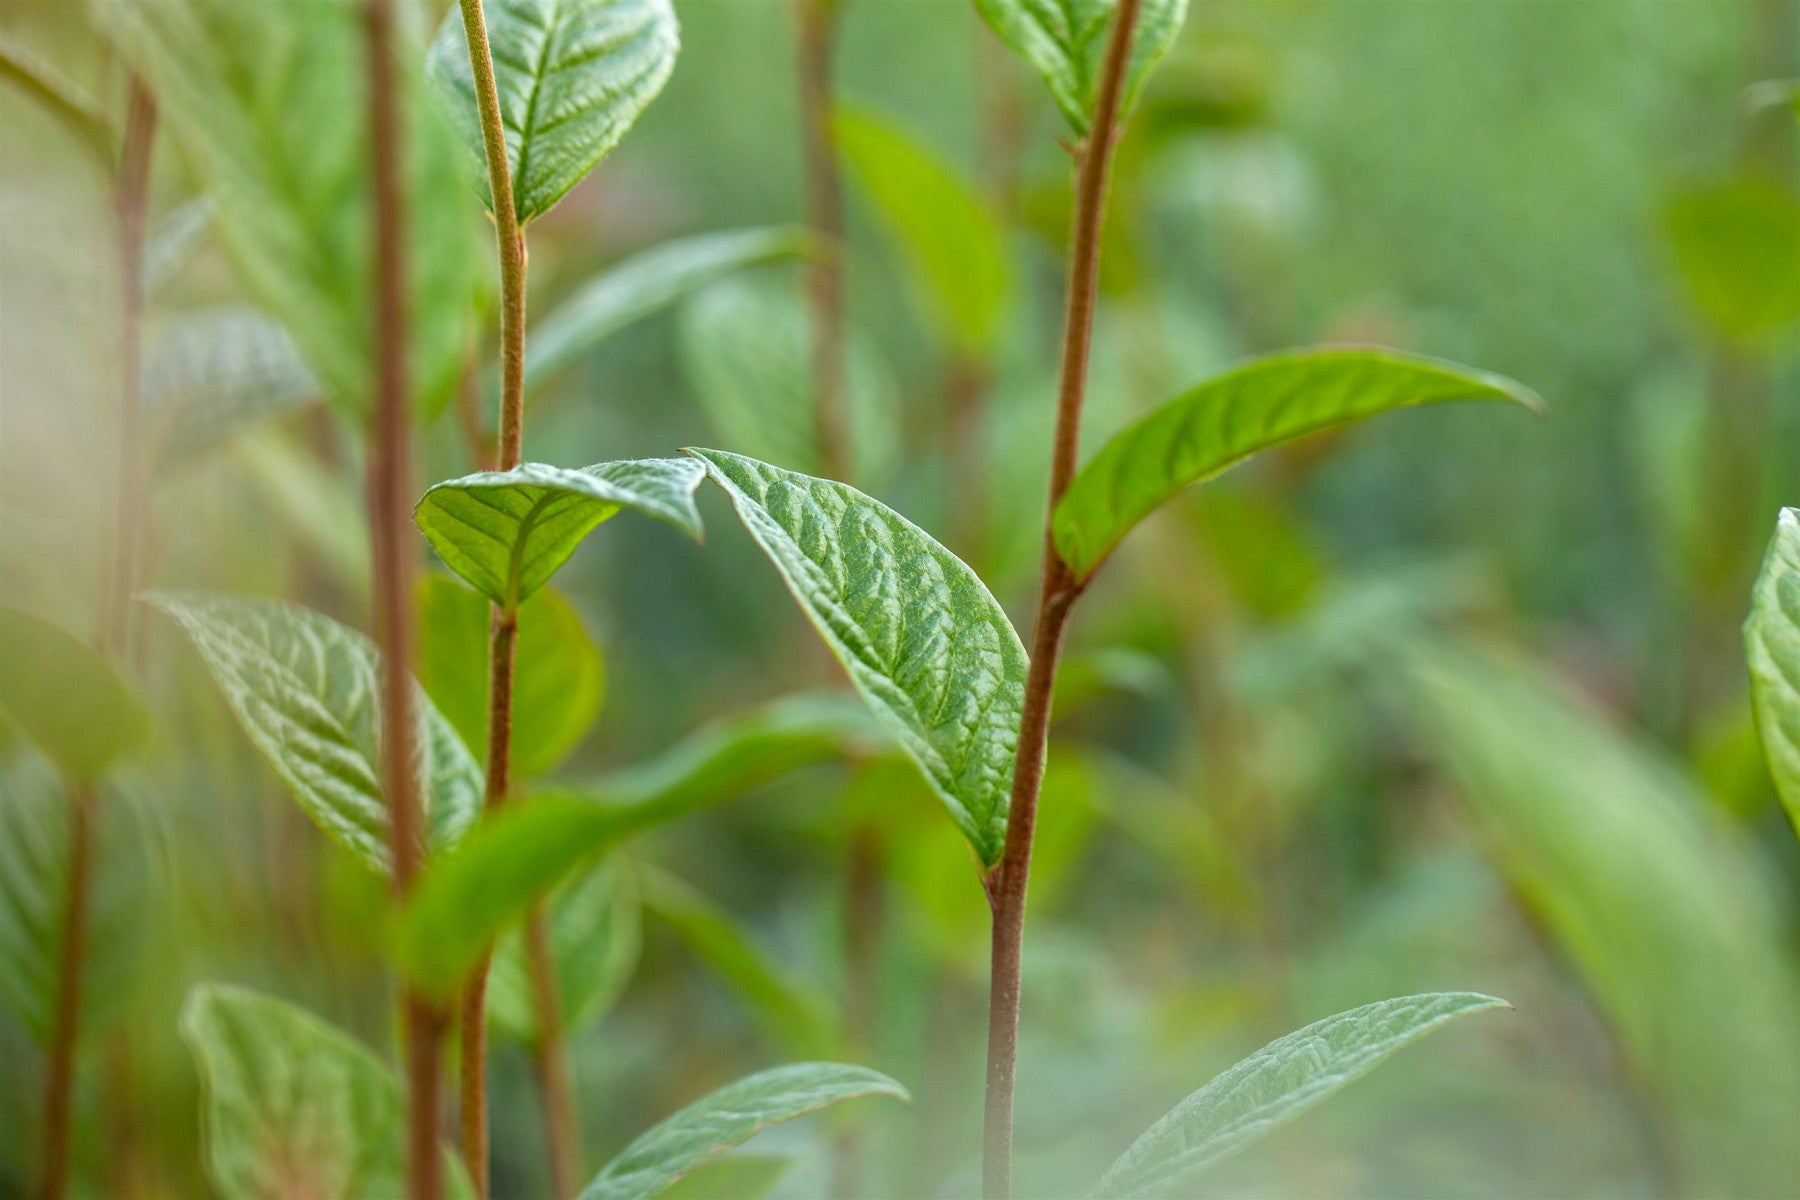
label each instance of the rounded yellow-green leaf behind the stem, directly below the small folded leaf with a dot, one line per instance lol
(559, 677)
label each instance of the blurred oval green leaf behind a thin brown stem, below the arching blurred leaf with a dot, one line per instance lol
(597, 931)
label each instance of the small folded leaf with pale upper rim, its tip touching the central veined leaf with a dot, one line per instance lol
(510, 532)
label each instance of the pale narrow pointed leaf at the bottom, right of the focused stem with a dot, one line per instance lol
(1275, 1086)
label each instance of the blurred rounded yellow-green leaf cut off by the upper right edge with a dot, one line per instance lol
(1738, 253)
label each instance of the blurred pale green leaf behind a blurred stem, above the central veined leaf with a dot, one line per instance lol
(746, 352)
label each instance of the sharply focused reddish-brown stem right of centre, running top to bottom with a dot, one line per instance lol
(1057, 593)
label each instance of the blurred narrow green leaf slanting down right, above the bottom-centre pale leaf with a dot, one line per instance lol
(798, 1017)
